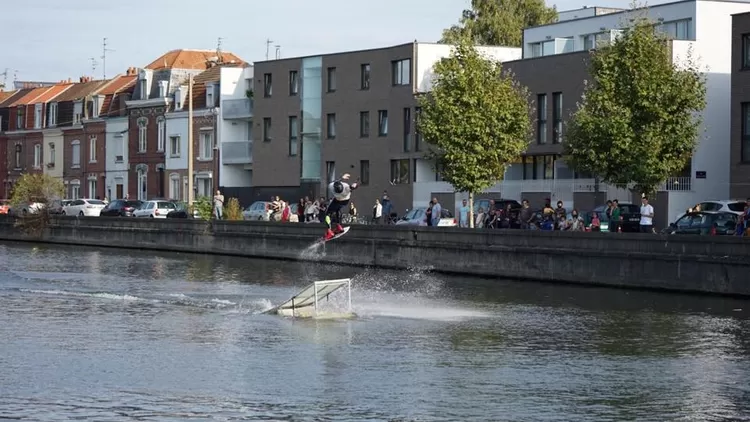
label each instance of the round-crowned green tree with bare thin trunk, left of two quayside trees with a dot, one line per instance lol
(476, 120)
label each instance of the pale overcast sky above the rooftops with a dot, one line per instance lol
(56, 39)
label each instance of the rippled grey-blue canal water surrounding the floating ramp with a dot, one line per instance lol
(113, 335)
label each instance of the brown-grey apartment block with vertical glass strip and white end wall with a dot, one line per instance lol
(321, 116)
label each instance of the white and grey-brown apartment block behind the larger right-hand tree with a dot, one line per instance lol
(554, 68)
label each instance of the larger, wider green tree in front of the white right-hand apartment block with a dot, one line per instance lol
(639, 120)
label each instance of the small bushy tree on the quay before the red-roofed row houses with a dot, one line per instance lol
(32, 197)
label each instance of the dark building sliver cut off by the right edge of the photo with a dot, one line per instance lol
(740, 114)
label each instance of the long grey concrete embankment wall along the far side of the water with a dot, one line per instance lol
(719, 265)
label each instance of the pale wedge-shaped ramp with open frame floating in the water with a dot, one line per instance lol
(308, 303)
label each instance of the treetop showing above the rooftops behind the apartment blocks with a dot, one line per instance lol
(499, 22)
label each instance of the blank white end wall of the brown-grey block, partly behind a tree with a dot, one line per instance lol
(427, 54)
